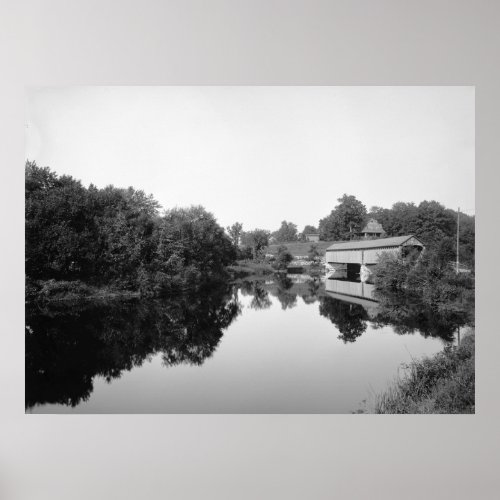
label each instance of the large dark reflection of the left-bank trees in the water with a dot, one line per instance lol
(67, 347)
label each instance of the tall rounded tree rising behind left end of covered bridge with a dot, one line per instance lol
(344, 221)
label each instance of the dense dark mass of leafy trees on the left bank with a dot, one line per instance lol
(116, 237)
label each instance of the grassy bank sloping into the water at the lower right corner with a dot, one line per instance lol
(444, 383)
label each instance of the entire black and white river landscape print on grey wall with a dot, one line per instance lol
(250, 249)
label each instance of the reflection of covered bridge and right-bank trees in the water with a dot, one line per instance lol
(351, 305)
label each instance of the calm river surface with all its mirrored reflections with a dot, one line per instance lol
(287, 346)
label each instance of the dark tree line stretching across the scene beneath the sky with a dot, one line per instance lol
(118, 237)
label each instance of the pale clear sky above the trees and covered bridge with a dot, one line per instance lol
(261, 155)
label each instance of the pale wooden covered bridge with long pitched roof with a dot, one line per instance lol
(367, 252)
